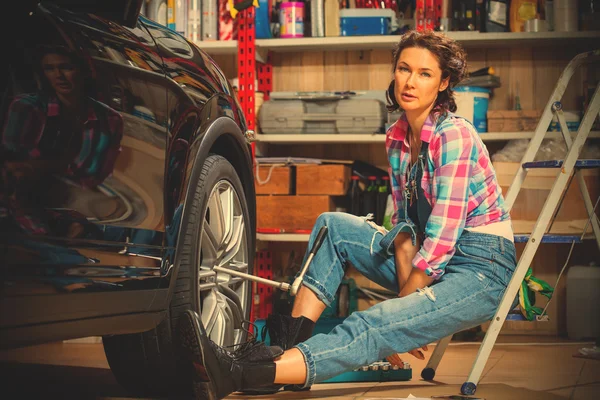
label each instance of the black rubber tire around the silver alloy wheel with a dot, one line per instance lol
(148, 363)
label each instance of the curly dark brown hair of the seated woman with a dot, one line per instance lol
(451, 57)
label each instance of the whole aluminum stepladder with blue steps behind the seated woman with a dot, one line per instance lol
(568, 167)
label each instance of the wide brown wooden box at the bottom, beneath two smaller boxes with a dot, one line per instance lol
(291, 212)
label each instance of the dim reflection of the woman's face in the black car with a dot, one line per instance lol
(61, 73)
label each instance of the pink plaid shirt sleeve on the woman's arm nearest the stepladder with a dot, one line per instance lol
(454, 154)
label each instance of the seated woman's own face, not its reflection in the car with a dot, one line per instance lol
(418, 79)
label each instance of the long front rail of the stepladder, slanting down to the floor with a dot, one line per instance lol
(536, 237)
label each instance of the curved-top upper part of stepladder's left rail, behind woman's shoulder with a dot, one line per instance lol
(544, 122)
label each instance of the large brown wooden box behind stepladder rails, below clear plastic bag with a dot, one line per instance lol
(572, 215)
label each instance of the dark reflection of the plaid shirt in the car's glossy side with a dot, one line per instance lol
(26, 120)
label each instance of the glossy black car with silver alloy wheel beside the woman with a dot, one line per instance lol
(126, 177)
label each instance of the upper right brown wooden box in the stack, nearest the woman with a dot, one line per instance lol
(329, 179)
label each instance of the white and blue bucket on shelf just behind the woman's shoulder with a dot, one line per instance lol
(472, 103)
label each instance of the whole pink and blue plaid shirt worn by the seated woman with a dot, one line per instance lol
(458, 180)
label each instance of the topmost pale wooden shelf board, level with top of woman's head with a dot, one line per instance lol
(467, 39)
